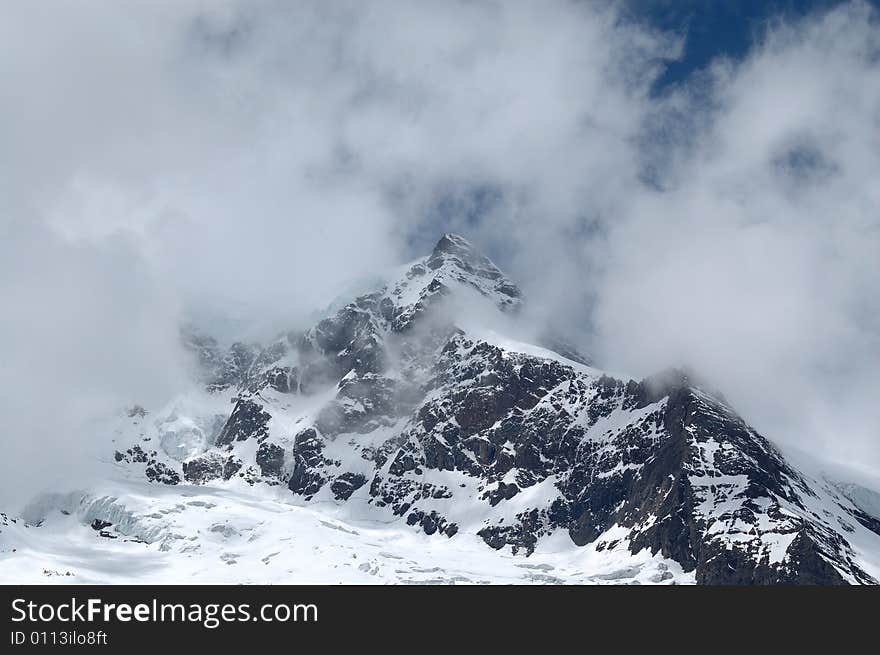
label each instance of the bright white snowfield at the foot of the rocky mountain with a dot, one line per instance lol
(233, 534)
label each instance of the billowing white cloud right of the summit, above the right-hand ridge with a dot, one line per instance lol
(759, 260)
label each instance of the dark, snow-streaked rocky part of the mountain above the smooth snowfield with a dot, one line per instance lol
(404, 413)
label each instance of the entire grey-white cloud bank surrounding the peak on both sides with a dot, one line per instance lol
(190, 160)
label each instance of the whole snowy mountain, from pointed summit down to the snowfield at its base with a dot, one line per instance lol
(393, 441)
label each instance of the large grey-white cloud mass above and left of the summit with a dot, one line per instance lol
(189, 160)
